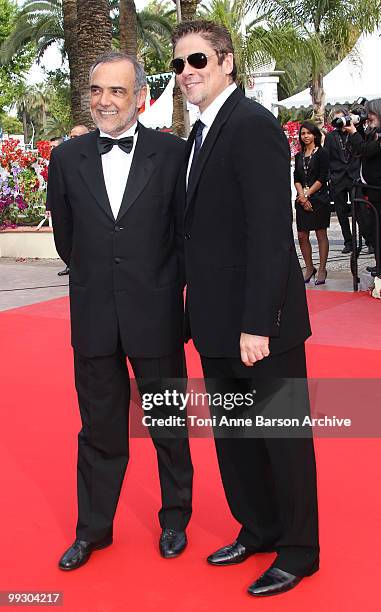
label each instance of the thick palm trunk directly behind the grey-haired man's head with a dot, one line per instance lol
(94, 38)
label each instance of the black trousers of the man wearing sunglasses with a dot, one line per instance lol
(270, 483)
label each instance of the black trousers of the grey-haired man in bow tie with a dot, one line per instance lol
(103, 388)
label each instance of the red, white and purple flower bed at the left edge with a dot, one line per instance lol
(23, 177)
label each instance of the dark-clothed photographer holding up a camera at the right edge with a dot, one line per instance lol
(369, 151)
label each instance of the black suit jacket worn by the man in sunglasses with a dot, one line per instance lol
(242, 270)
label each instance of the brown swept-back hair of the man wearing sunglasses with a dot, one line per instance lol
(215, 34)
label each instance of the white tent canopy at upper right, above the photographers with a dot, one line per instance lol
(349, 80)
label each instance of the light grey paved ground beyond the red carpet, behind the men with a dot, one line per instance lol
(30, 281)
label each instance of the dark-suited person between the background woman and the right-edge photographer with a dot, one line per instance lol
(344, 171)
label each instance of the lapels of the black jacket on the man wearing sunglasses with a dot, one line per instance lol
(208, 144)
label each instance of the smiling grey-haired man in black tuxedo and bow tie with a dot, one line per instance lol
(112, 195)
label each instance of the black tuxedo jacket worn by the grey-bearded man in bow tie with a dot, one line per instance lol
(124, 274)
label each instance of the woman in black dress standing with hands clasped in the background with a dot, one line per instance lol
(312, 202)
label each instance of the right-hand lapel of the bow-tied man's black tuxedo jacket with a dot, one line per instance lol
(141, 170)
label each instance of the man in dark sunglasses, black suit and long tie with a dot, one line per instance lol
(246, 306)
